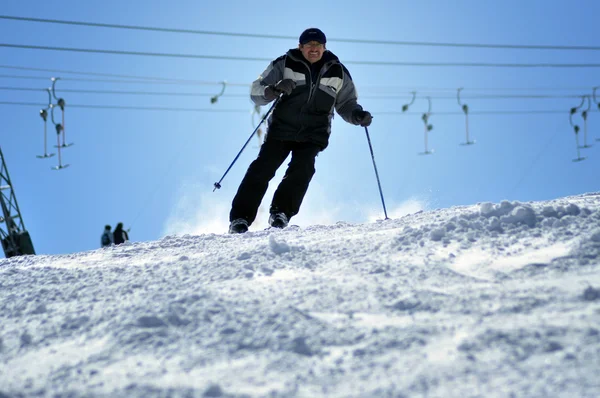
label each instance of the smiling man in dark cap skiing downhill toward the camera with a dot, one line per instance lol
(309, 83)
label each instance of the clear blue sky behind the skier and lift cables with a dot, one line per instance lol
(154, 170)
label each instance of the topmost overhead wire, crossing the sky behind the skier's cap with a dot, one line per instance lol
(286, 37)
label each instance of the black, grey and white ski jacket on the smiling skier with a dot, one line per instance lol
(305, 115)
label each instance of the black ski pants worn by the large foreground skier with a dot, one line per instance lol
(290, 192)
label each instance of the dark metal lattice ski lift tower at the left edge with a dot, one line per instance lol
(15, 239)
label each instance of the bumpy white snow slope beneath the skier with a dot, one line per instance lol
(489, 300)
